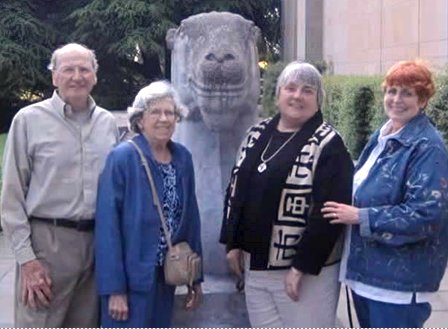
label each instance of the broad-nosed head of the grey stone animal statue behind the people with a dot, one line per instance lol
(215, 67)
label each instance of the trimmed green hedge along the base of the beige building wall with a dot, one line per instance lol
(354, 105)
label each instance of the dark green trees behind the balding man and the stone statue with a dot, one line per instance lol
(31, 29)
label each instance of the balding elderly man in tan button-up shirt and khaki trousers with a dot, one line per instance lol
(54, 153)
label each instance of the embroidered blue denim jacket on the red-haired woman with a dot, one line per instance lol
(402, 240)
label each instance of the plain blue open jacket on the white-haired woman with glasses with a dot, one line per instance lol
(127, 222)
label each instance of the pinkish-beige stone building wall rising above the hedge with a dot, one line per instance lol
(368, 36)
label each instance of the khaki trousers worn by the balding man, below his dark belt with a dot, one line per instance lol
(68, 254)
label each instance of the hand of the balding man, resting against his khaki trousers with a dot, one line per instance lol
(35, 285)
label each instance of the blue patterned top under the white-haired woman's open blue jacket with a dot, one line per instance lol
(171, 205)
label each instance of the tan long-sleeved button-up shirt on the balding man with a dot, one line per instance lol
(51, 166)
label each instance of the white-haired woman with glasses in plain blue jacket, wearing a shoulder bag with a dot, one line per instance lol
(130, 242)
